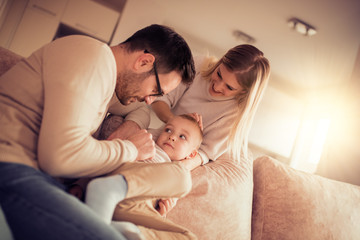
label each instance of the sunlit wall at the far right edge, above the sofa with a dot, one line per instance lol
(341, 158)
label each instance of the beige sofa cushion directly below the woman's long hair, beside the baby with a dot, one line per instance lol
(219, 205)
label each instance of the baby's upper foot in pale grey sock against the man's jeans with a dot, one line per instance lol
(104, 193)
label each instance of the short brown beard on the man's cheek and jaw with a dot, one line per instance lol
(128, 85)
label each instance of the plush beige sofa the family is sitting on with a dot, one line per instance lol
(256, 199)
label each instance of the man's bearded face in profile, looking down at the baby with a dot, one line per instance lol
(131, 86)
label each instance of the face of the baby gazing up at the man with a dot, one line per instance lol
(179, 138)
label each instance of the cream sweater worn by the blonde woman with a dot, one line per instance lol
(218, 114)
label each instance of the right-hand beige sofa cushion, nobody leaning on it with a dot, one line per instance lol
(290, 204)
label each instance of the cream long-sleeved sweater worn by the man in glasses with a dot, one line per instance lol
(52, 102)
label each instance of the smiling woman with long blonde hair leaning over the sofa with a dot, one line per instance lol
(223, 97)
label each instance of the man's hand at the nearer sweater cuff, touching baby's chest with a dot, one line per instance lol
(144, 143)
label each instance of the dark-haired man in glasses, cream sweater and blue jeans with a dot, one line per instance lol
(52, 103)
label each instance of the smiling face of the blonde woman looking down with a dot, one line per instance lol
(223, 83)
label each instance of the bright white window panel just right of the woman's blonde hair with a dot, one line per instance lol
(276, 124)
